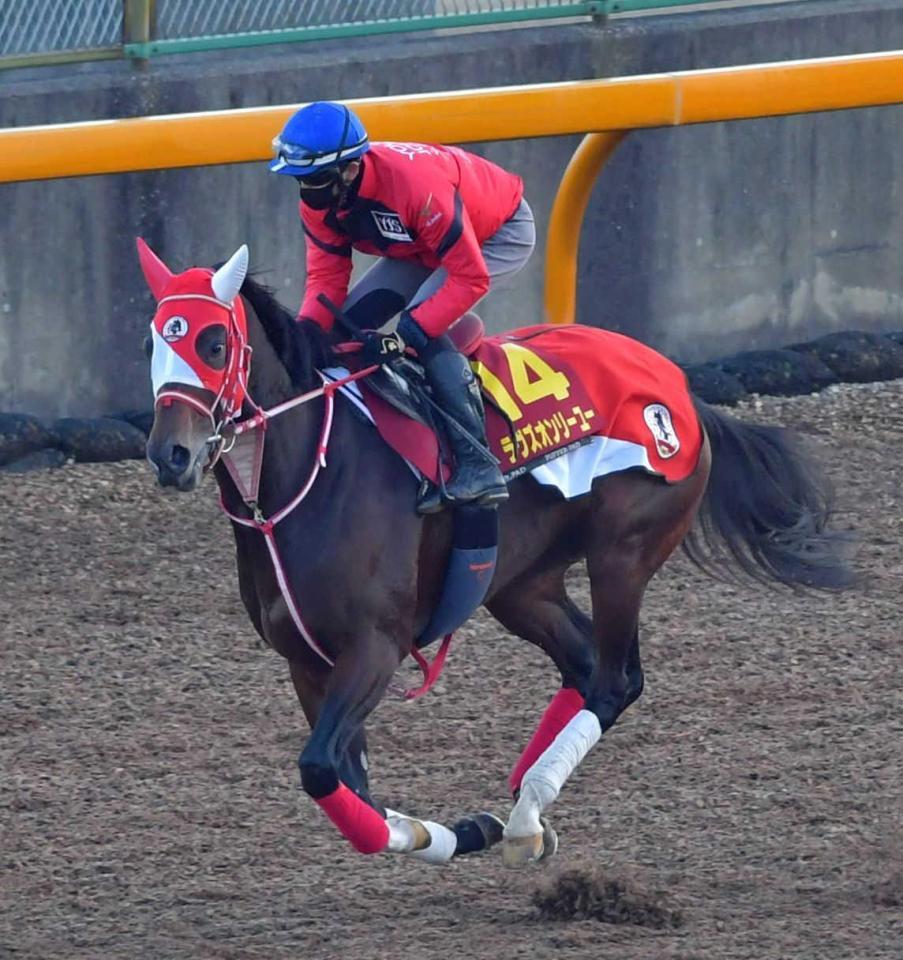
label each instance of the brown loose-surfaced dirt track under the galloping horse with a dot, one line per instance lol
(149, 805)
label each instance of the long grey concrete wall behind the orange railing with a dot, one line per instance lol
(701, 241)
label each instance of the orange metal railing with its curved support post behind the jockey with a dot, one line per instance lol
(605, 108)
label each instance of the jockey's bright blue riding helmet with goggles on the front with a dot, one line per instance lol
(319, 135)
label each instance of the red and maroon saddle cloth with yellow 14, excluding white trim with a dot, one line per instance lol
(549, 388)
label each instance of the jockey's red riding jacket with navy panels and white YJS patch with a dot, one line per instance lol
(433, 204)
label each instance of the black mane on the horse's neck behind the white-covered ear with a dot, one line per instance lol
(302, 347)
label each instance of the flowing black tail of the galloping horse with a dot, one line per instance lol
(765, 510)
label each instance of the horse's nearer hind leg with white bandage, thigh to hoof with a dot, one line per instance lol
(635, 523)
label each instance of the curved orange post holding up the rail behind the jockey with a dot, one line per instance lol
(563, 239)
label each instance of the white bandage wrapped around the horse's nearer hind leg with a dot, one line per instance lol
(543, 781)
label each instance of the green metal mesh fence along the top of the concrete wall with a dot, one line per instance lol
(51, 31)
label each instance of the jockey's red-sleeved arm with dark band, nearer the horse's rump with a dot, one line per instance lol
(445, 226)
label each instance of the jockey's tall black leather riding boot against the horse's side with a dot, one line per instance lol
(476, 478)
